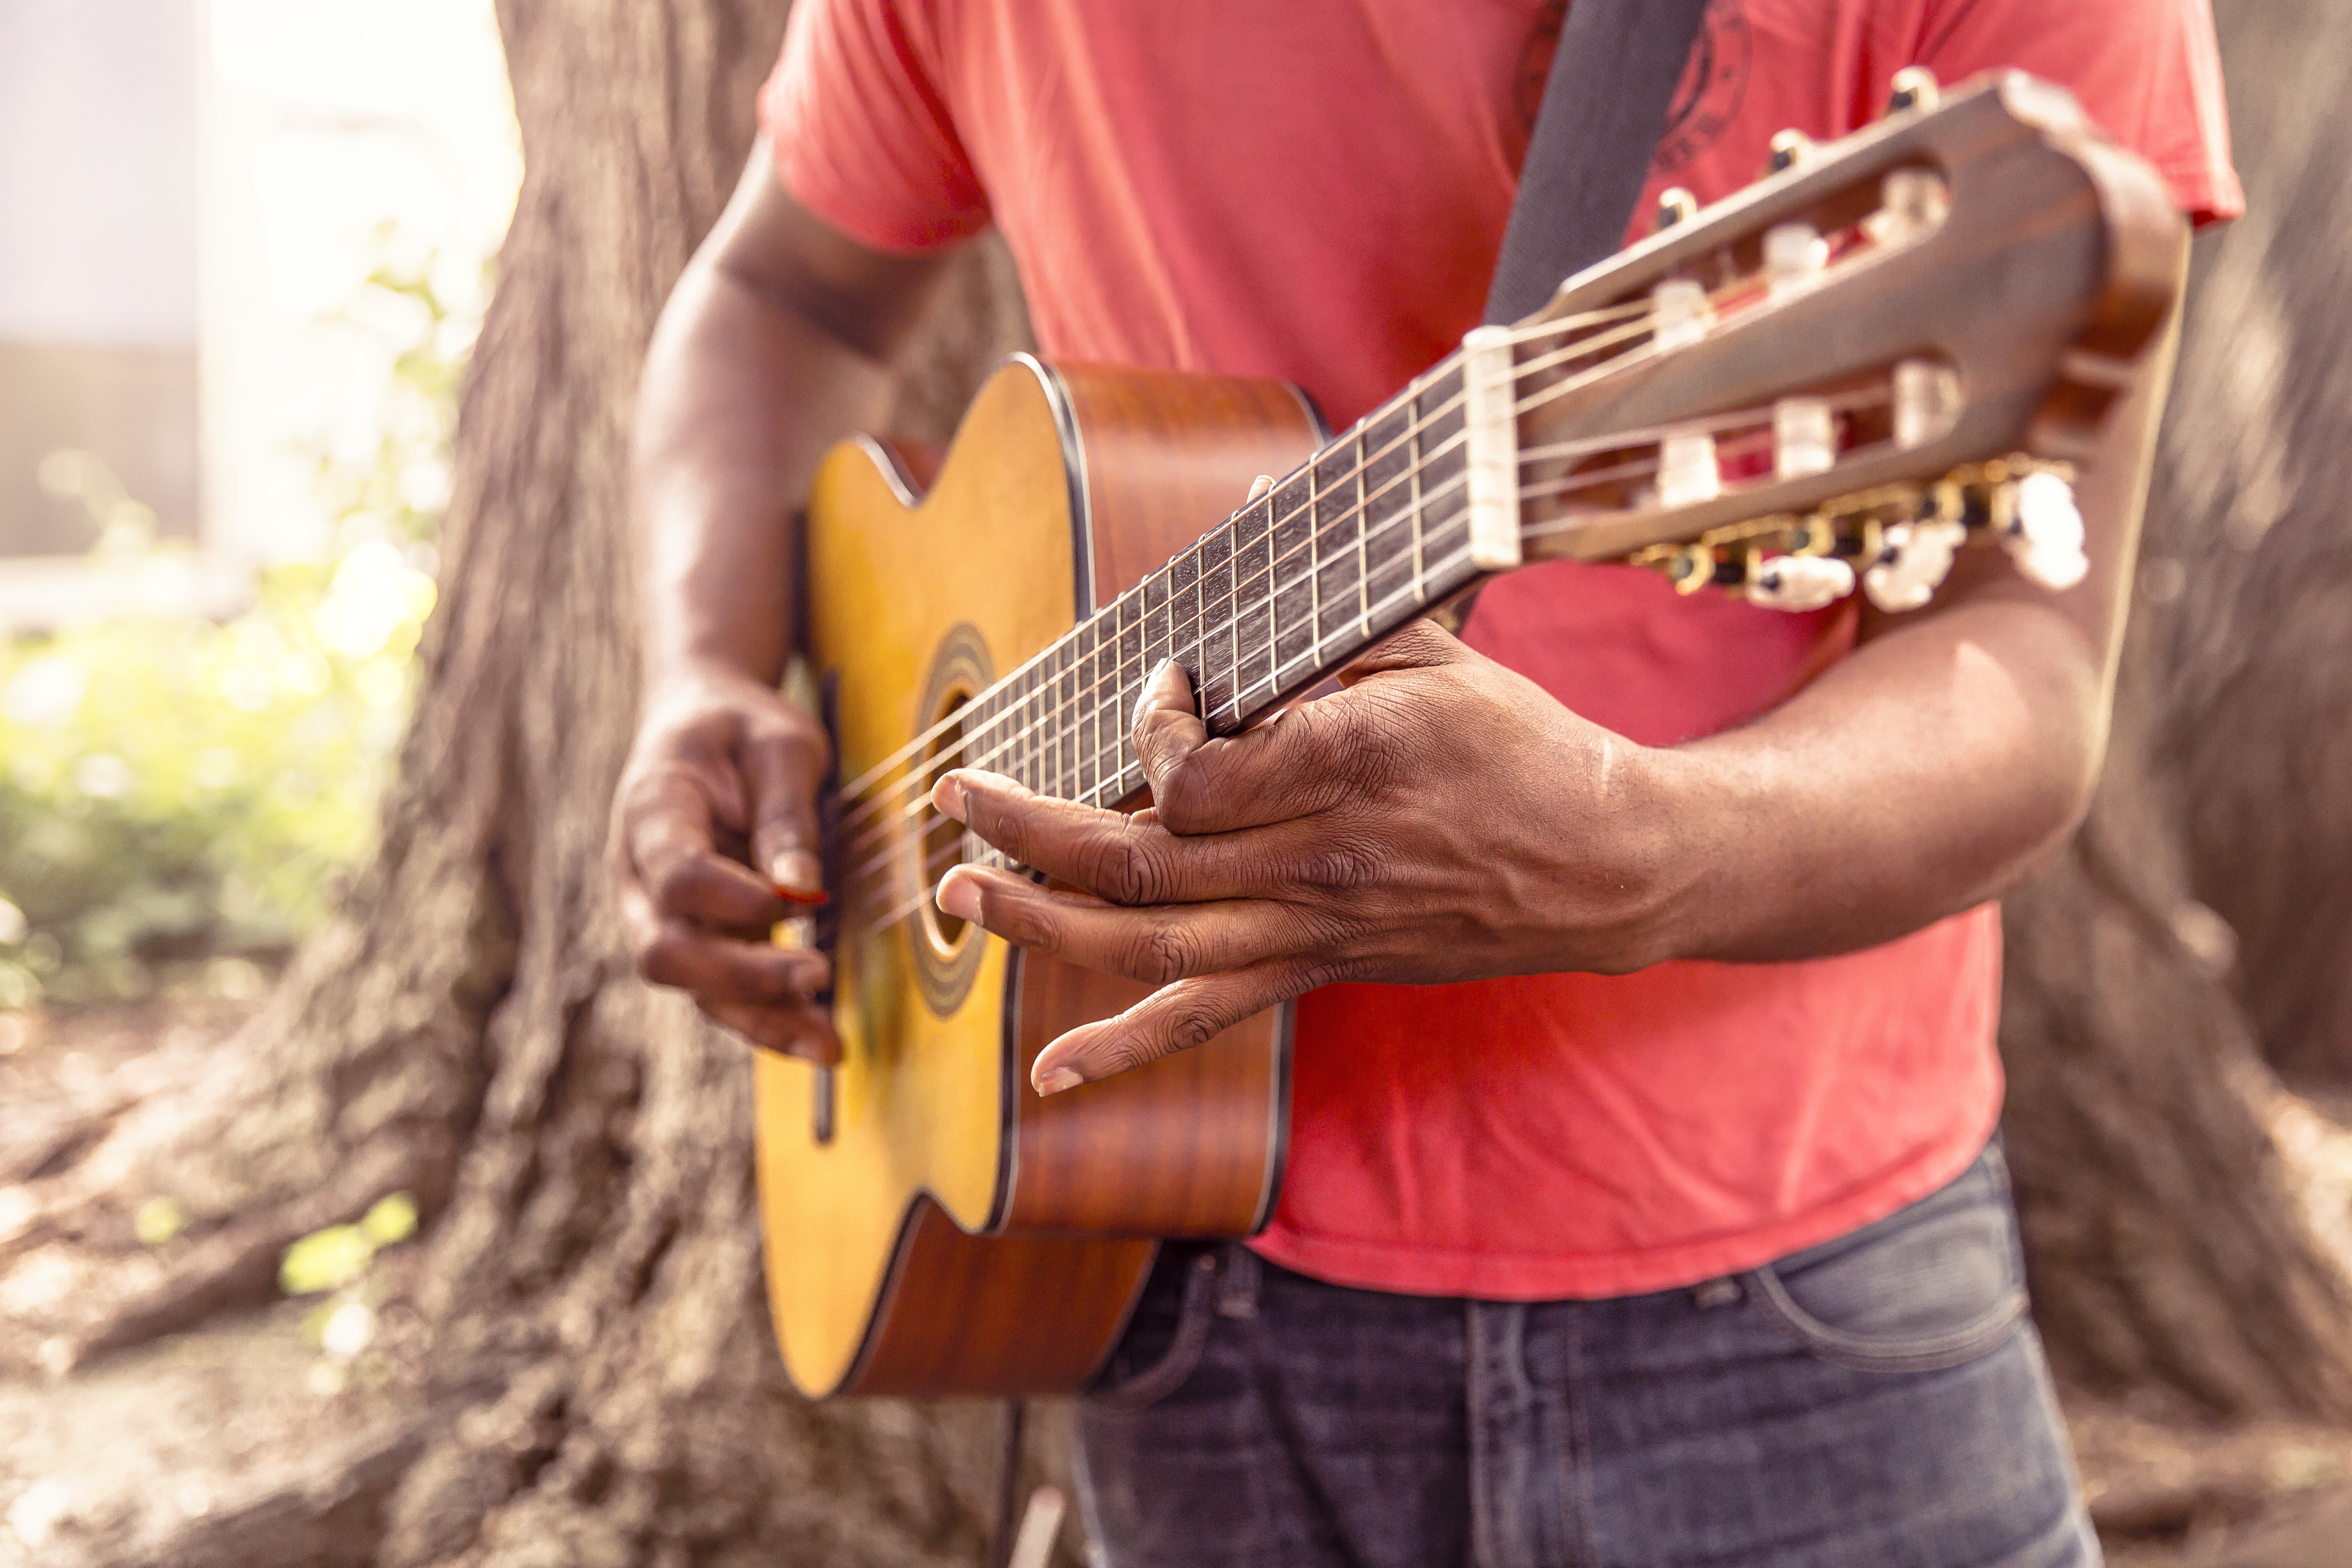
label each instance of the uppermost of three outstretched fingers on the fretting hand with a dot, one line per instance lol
(1109, 855)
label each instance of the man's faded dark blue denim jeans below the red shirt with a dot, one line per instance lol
(1876, 1402)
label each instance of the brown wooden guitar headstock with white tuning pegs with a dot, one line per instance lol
(1843, 370)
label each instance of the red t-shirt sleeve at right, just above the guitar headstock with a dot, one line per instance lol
(2149, 72)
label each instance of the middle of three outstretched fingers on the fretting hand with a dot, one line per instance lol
(1163, 944)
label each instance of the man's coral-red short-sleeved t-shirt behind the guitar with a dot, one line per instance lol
(1316, 192)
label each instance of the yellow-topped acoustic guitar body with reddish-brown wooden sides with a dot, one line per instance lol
(933, 1226)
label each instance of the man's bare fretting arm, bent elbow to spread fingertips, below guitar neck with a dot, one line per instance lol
(1445, 819)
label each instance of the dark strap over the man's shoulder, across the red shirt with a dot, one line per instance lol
(1615, 76)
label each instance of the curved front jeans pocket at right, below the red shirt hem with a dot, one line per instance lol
(1923, 1289)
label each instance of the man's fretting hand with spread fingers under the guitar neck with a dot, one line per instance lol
(1438, 819)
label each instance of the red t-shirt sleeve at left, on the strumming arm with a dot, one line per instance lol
(862, 128)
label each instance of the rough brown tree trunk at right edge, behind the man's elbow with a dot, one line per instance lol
(2203, 920)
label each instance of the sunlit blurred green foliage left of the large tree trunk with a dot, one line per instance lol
(185, 798)
